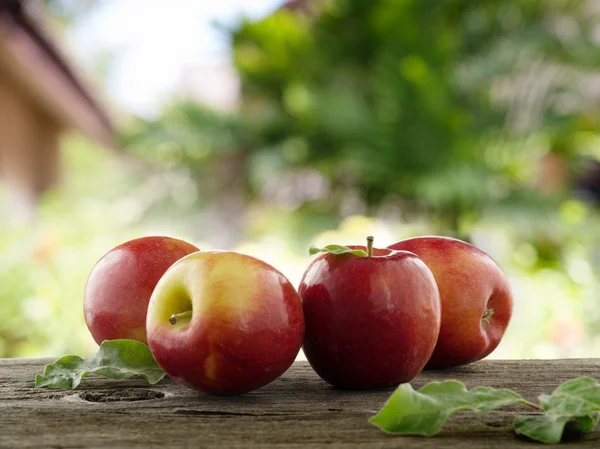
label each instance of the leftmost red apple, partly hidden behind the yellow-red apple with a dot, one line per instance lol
(119, 286)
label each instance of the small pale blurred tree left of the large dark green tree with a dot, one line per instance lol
(213, 148)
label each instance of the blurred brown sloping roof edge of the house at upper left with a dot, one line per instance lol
(29, 54)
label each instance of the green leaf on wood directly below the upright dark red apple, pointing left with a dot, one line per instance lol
(423, 412)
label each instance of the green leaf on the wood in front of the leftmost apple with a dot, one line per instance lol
(115, 359)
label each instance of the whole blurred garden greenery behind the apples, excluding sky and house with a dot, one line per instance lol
(393, 118)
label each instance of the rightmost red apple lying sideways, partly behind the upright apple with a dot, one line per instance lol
(475, 294)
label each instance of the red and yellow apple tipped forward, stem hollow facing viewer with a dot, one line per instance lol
(224, 323)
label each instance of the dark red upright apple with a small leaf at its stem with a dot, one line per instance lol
(371, 320)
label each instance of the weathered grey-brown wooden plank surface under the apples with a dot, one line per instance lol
(297, 410)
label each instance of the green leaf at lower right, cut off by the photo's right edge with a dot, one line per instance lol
(577, 399)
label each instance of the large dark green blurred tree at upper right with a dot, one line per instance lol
(425, 101)
